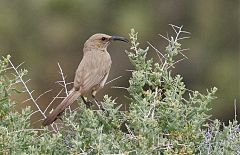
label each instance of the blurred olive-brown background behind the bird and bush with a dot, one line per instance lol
(44, 32)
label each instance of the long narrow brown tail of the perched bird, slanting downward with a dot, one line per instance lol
(61, 107)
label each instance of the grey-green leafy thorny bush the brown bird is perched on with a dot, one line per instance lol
(164, 117)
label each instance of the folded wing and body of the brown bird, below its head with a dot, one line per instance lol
(91, 72)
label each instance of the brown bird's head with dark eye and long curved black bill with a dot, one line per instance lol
(101, 41)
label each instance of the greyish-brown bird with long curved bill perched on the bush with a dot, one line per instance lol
(91, 73)
